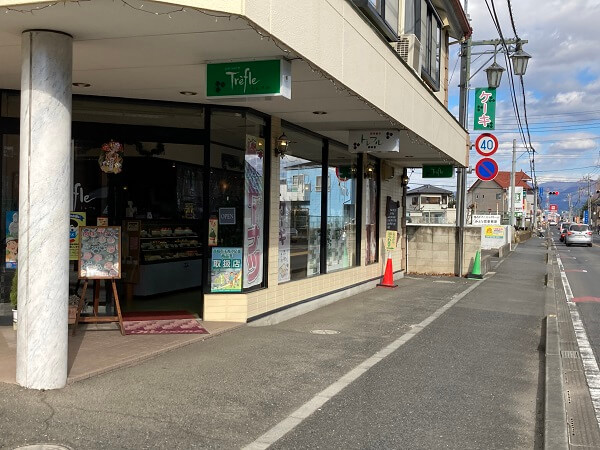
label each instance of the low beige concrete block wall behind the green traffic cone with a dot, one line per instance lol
(432, 249)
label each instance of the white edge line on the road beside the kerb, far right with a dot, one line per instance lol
(590, 365)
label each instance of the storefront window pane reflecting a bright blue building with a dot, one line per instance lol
(341, 209)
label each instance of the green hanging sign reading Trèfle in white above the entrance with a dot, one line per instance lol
(249, 79)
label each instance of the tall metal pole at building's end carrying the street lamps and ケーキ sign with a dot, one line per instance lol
(461, 179)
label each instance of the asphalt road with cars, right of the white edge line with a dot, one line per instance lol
(582, 268)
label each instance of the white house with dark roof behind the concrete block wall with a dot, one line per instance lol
(429, 204)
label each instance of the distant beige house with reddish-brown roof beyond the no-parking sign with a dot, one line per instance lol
(491, 197)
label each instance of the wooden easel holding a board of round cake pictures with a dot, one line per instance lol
(99, 259)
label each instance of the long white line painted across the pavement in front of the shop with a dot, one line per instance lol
(308, 408)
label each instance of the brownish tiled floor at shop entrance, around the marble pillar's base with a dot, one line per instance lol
(100, 348)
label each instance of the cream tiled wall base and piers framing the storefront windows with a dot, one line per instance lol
(241, 307)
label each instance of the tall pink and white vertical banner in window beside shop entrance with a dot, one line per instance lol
(254, 211)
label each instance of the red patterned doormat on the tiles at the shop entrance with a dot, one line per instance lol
(162, 322)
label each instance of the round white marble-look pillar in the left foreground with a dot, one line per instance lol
(44, 196)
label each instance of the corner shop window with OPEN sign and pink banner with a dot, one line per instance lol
(237, 177)
